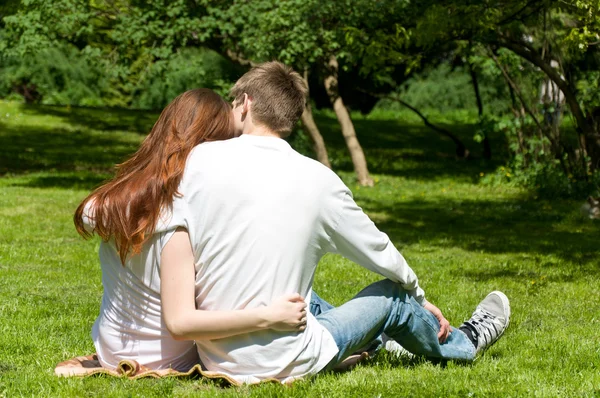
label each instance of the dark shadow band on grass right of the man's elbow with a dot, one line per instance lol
(508, 226)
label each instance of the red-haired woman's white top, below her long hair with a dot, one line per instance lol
(130, 324)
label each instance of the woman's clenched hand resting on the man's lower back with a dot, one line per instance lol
(287, 313)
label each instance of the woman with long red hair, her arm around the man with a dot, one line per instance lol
(131, 214)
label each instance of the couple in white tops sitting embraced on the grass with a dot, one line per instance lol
(212, 232)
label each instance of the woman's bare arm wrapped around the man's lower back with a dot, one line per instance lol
(185, 322)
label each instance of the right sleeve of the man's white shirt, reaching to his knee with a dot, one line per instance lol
(357, 238)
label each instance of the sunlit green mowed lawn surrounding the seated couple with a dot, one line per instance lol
(462, 239)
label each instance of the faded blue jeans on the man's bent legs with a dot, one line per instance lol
(385, 307)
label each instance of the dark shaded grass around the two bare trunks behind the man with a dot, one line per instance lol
(411, 150)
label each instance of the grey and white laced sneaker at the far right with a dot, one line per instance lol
(489, 321)
